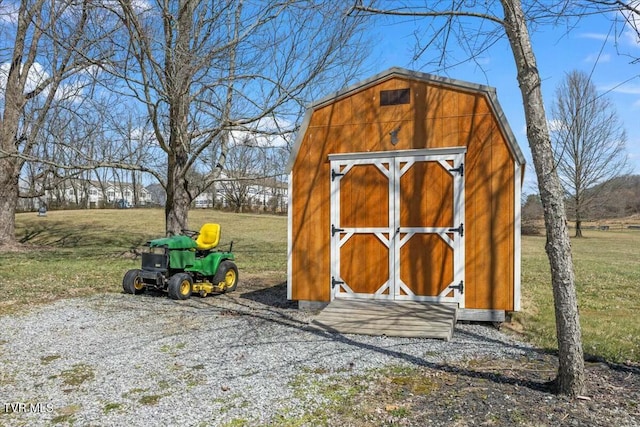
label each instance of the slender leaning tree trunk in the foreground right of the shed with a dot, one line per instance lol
(570, 380)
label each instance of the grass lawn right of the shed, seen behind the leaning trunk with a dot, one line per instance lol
(607, 266)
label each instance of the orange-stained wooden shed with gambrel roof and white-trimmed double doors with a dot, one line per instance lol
(406, 187)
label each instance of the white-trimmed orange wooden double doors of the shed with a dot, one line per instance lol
(397, 227)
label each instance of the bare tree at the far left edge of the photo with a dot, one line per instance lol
(46, 63)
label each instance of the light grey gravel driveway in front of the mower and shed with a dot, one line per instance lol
(246, 357)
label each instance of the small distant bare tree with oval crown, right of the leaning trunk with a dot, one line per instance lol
(589, 143)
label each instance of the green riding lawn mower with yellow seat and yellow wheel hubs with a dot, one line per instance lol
(185, 264)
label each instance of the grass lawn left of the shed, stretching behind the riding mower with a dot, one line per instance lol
(87, 252)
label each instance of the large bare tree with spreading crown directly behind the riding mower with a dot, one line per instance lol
(205, 69)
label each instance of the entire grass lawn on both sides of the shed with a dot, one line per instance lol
(87, 252)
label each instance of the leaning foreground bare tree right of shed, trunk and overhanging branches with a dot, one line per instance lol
(494, 20)
